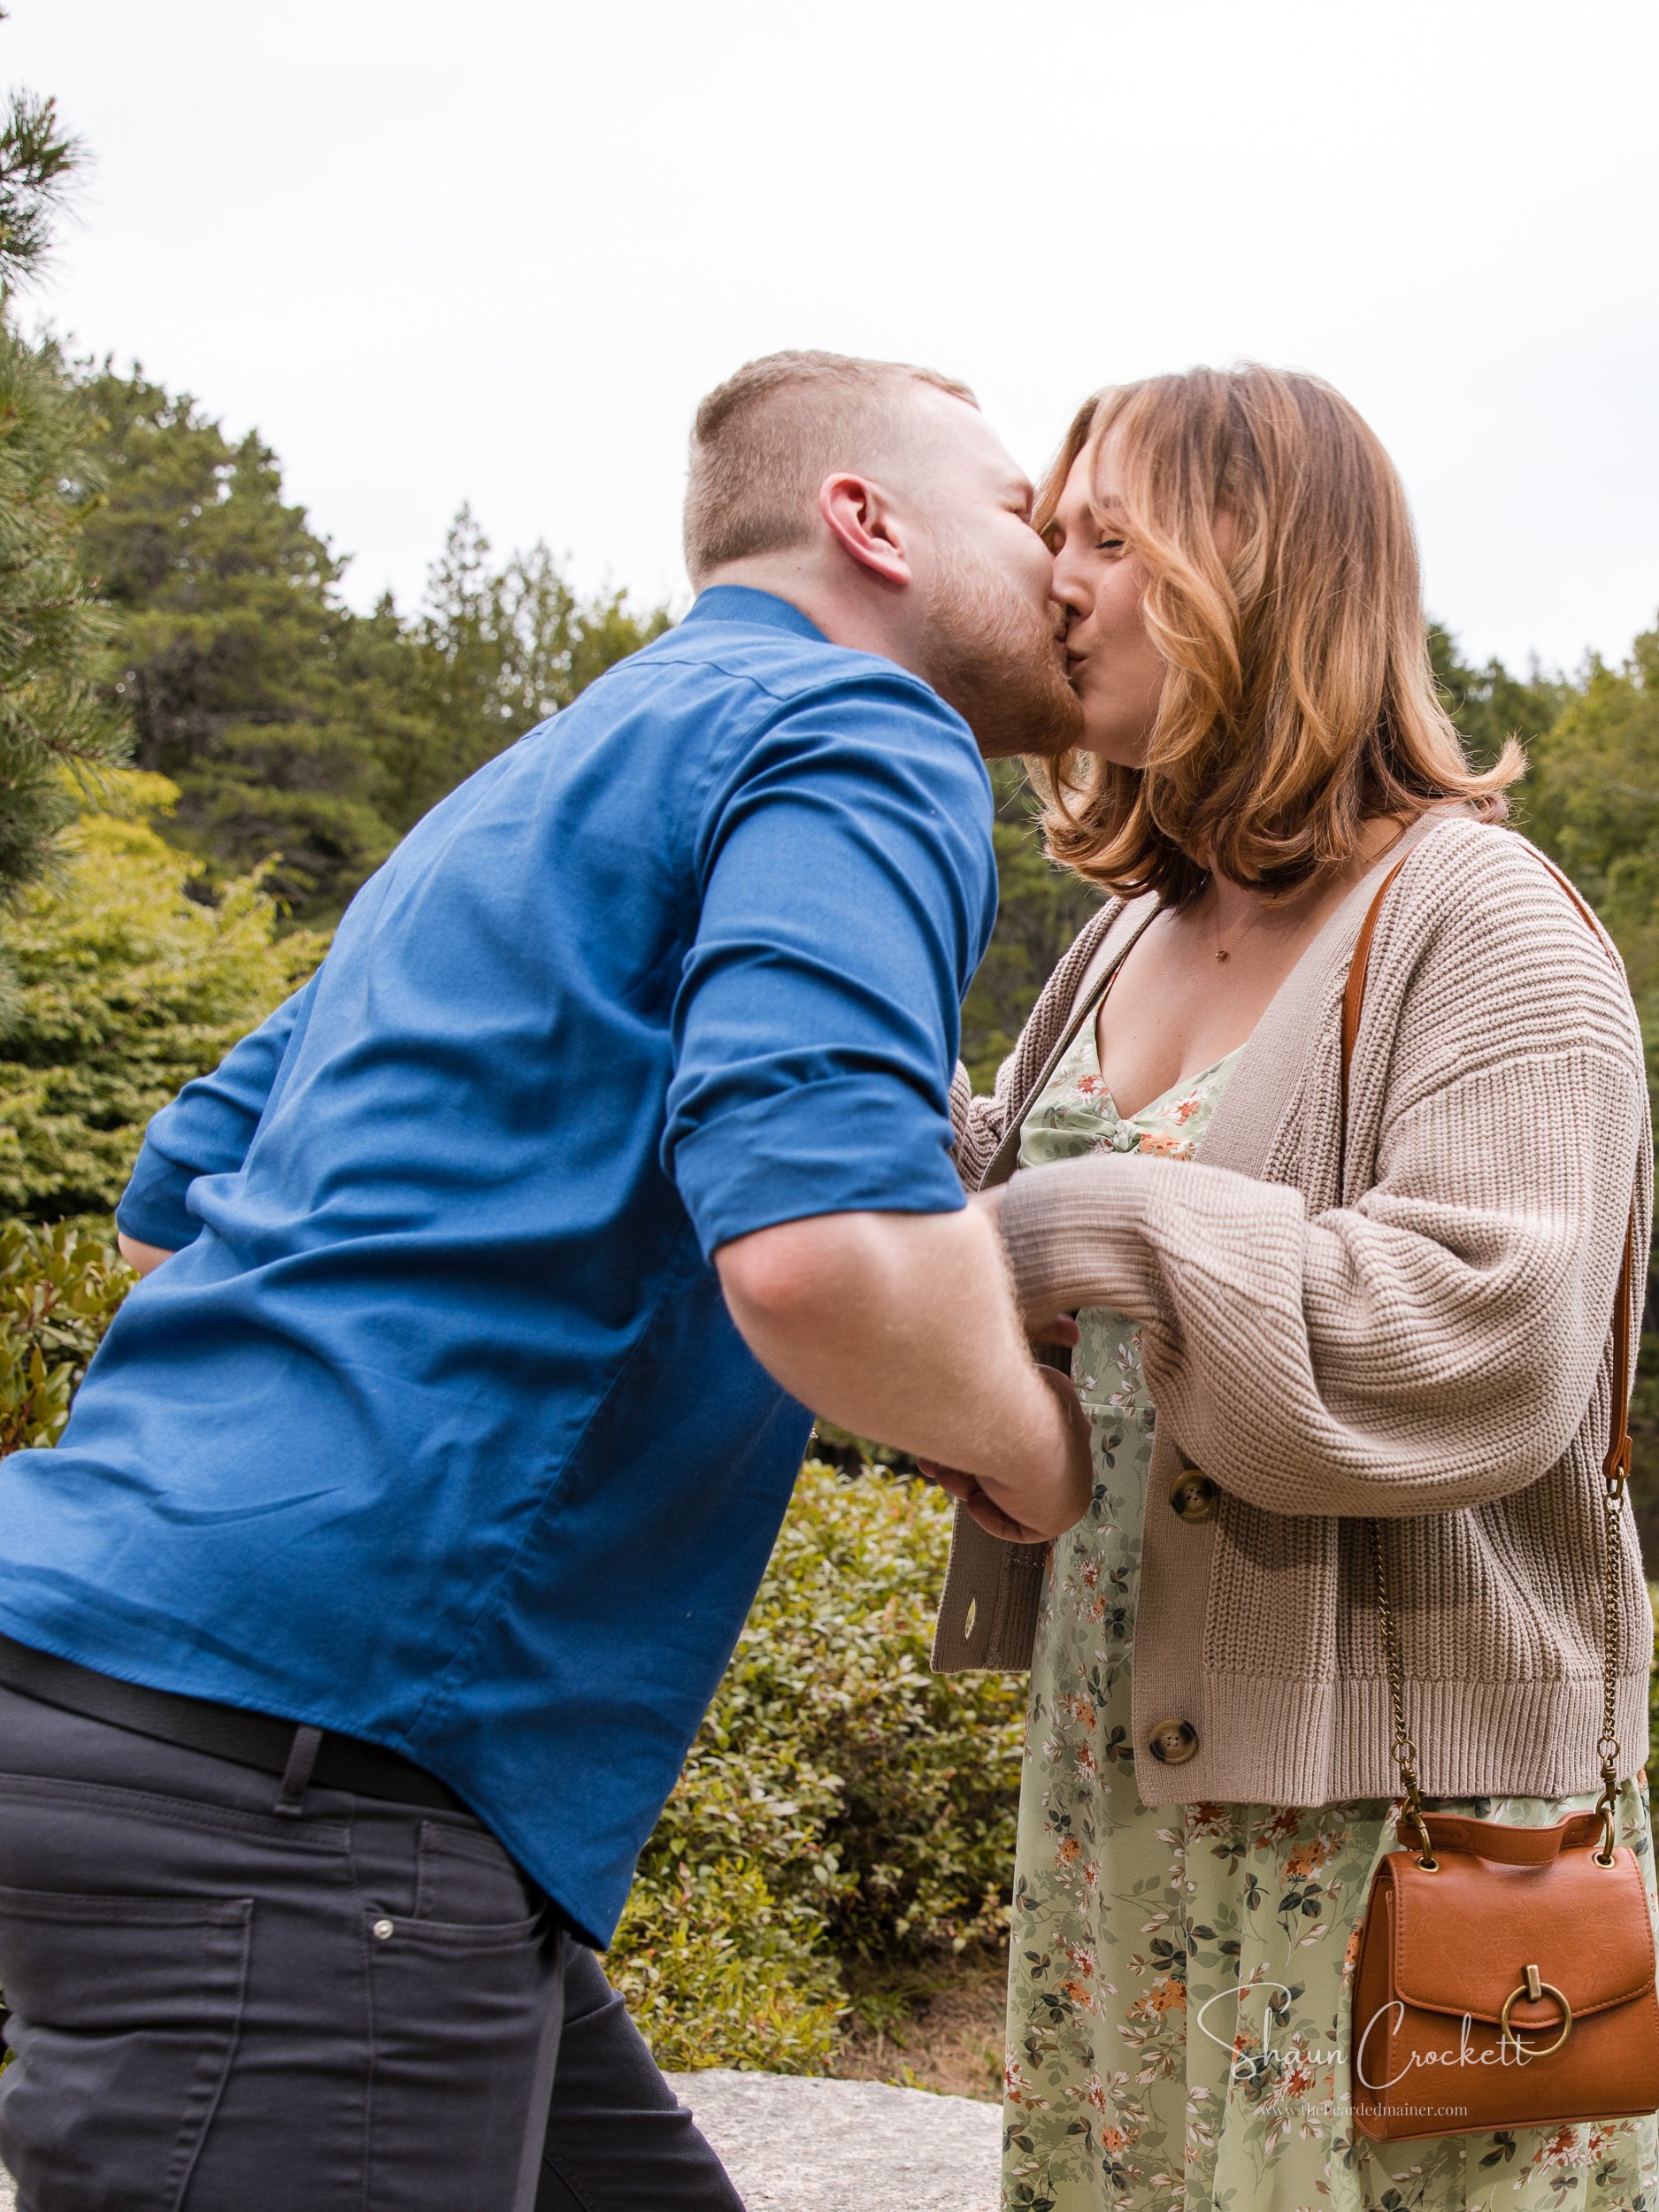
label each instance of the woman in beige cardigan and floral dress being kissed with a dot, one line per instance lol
(1209, 1773)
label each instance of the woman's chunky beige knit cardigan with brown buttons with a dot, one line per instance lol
(1430, 1346)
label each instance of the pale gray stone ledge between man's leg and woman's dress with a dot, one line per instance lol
(797, 2145)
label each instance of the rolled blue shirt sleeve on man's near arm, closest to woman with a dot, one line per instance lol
(848, 893)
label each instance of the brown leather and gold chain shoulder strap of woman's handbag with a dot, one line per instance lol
(1616, 1470)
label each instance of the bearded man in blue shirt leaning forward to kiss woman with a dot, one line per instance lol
(410, 1512)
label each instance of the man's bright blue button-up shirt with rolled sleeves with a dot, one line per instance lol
(439, 1430)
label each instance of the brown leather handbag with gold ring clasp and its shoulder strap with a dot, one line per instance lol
(1505, 1974)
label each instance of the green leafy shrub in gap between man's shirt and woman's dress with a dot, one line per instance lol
(839, 1799)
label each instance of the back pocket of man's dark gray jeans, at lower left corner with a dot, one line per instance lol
(125, 2014)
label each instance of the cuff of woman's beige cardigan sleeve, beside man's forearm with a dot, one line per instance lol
(1076, 1235)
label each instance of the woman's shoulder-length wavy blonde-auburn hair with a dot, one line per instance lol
(1300, 696)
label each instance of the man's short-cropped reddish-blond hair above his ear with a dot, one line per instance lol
(766, 439)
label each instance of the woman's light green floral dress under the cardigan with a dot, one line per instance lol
(1180, 1974)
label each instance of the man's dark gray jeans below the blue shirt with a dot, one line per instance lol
(222, 2010)
